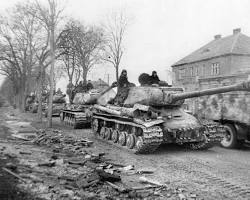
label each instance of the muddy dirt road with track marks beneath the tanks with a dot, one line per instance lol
(214, 174)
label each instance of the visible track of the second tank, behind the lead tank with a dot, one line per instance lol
(74, 119)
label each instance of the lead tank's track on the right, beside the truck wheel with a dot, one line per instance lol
(213, 134)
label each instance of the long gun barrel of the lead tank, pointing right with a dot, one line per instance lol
(244, 86)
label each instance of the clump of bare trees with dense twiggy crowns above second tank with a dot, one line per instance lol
(82, 47)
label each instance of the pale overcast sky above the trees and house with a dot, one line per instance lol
(161, 31)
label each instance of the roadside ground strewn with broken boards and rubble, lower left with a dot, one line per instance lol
(56, 165)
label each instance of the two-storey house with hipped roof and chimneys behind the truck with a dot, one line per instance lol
(223, 61)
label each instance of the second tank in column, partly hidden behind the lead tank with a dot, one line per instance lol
(78, 114)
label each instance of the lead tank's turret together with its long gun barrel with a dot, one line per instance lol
(159, 96)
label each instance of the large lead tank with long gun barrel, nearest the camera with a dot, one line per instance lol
(151, 116)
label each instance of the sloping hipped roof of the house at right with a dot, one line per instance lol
(237, 44)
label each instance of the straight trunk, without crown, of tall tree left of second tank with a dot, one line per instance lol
(52, 49)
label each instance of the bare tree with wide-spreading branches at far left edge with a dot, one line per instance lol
(17, 36)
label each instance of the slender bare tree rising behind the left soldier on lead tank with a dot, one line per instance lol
(115, 30)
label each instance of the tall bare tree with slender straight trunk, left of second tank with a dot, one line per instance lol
(50, 16)
